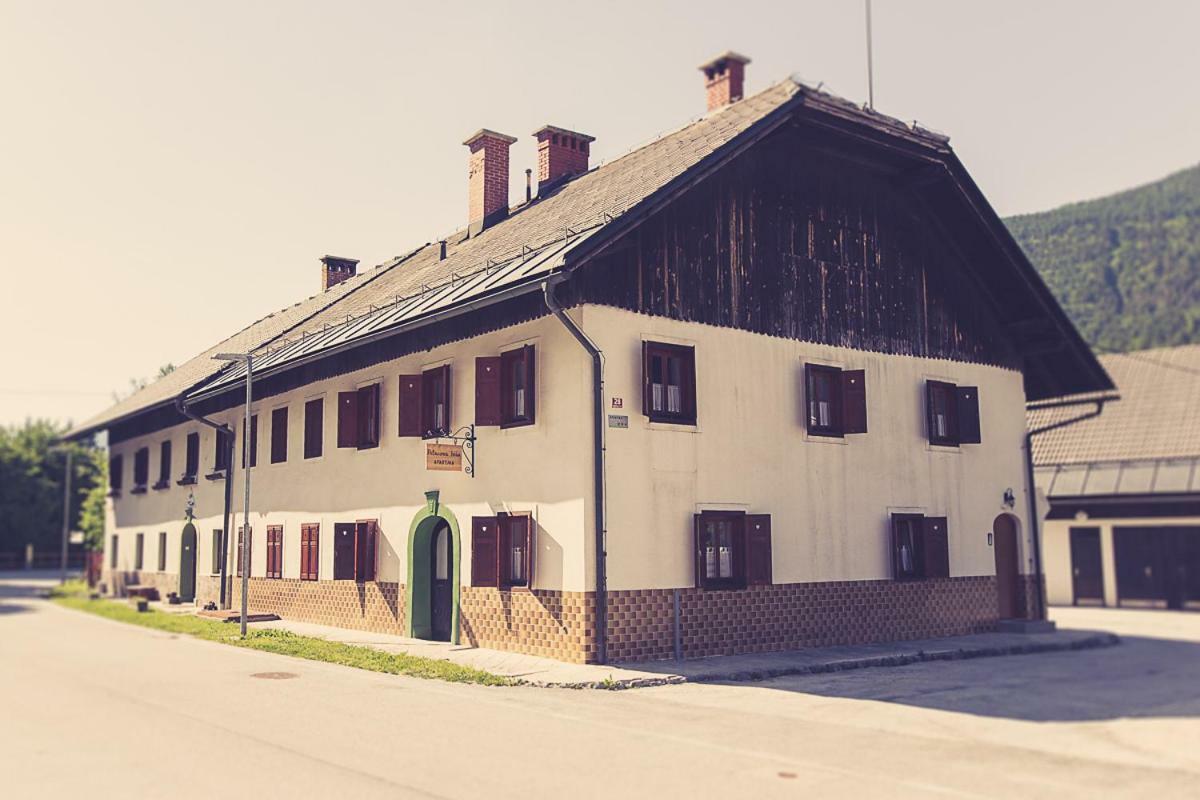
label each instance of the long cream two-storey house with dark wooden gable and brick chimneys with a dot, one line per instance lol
(815, 339)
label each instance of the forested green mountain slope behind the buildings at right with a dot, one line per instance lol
(1127, 267)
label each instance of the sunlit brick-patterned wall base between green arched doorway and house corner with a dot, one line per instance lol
(541, 622)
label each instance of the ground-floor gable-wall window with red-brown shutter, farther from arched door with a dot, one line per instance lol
(733, 550)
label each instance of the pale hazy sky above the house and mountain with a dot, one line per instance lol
(171, 172)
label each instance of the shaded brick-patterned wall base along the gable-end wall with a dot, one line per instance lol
(789, 617)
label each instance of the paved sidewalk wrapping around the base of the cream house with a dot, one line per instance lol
(549, 673)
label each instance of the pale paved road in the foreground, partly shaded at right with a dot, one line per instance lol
(99, 709)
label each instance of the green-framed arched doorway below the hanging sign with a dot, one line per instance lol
(434, 578)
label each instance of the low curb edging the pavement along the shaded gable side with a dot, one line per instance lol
(847, 665)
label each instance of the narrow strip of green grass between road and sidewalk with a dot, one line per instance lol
(75, 596)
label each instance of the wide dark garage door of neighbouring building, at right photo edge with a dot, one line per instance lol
(1159, 567)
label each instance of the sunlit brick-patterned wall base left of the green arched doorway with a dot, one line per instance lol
(377, 607)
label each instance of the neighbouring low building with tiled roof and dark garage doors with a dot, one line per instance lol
(1124, 489)
